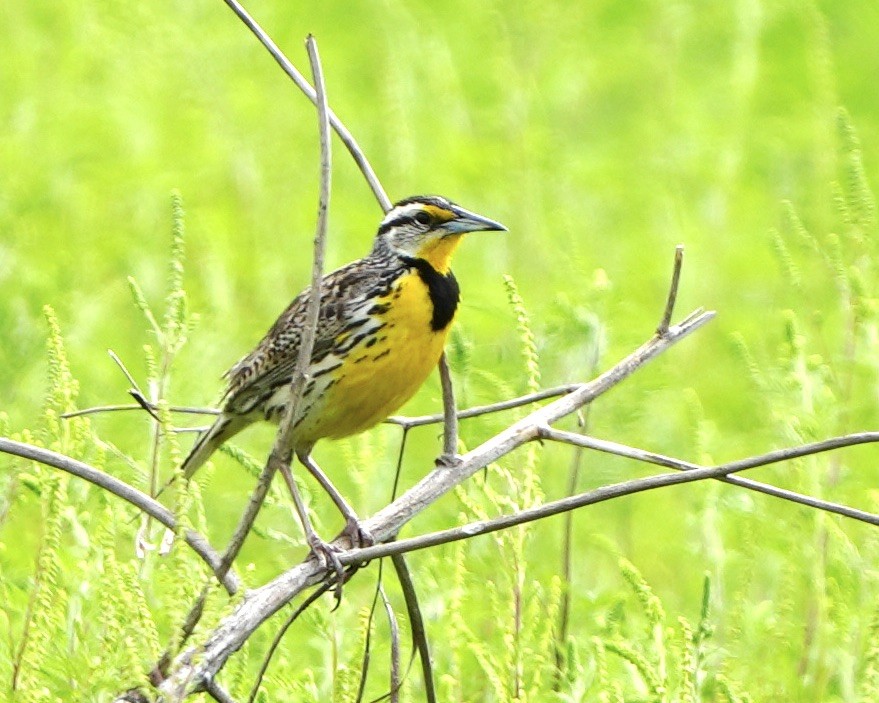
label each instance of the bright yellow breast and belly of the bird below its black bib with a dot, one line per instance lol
(384, 370)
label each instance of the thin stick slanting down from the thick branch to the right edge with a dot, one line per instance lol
(672, 463)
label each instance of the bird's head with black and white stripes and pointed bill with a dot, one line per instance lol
(429, 227)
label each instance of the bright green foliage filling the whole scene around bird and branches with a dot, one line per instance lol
(602, 134)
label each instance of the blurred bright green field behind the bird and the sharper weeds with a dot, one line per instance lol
(602, 134)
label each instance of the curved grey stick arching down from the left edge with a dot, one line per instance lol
(128, 493)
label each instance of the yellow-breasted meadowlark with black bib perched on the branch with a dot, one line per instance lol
(382, 325)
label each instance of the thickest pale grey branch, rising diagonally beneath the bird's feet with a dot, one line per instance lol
(263, 602)
